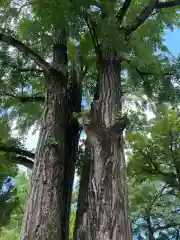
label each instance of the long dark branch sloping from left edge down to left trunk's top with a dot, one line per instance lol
(45, 66)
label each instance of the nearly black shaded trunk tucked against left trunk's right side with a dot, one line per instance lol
(72, 140)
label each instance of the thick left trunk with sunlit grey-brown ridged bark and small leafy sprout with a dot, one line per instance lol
(45, 201)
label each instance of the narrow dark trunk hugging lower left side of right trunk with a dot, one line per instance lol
(82, 206)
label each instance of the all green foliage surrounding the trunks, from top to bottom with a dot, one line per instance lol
(154, 151)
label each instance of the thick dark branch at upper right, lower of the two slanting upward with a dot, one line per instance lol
(141, 18)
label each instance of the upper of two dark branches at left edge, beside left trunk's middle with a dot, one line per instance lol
(16, 150)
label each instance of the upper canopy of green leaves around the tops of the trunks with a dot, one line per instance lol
(39, 29)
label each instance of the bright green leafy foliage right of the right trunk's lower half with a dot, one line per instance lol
(153, 173)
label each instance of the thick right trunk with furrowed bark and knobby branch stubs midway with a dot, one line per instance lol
(108, 203)
